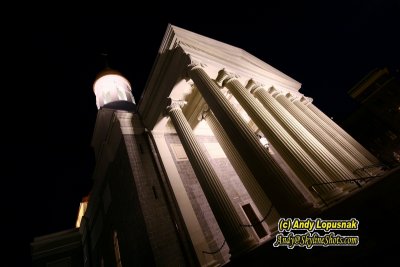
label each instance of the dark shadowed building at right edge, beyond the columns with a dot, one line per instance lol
(378, 114)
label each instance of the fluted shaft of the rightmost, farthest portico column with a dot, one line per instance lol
(343, 133)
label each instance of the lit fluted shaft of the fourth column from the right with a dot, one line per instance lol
(330, 164)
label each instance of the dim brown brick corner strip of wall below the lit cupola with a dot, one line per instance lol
(160, 227)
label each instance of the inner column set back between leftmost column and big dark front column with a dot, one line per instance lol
(256, 193)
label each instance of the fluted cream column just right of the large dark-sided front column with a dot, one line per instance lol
(302, 163)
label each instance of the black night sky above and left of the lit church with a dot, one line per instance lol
(328, 48)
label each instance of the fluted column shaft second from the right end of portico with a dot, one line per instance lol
(328, 128)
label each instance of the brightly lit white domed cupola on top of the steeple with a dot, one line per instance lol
(112, 90)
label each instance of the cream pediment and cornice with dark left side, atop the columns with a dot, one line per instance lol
(180, 50)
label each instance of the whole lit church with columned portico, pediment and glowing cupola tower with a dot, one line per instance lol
(199, 171)
